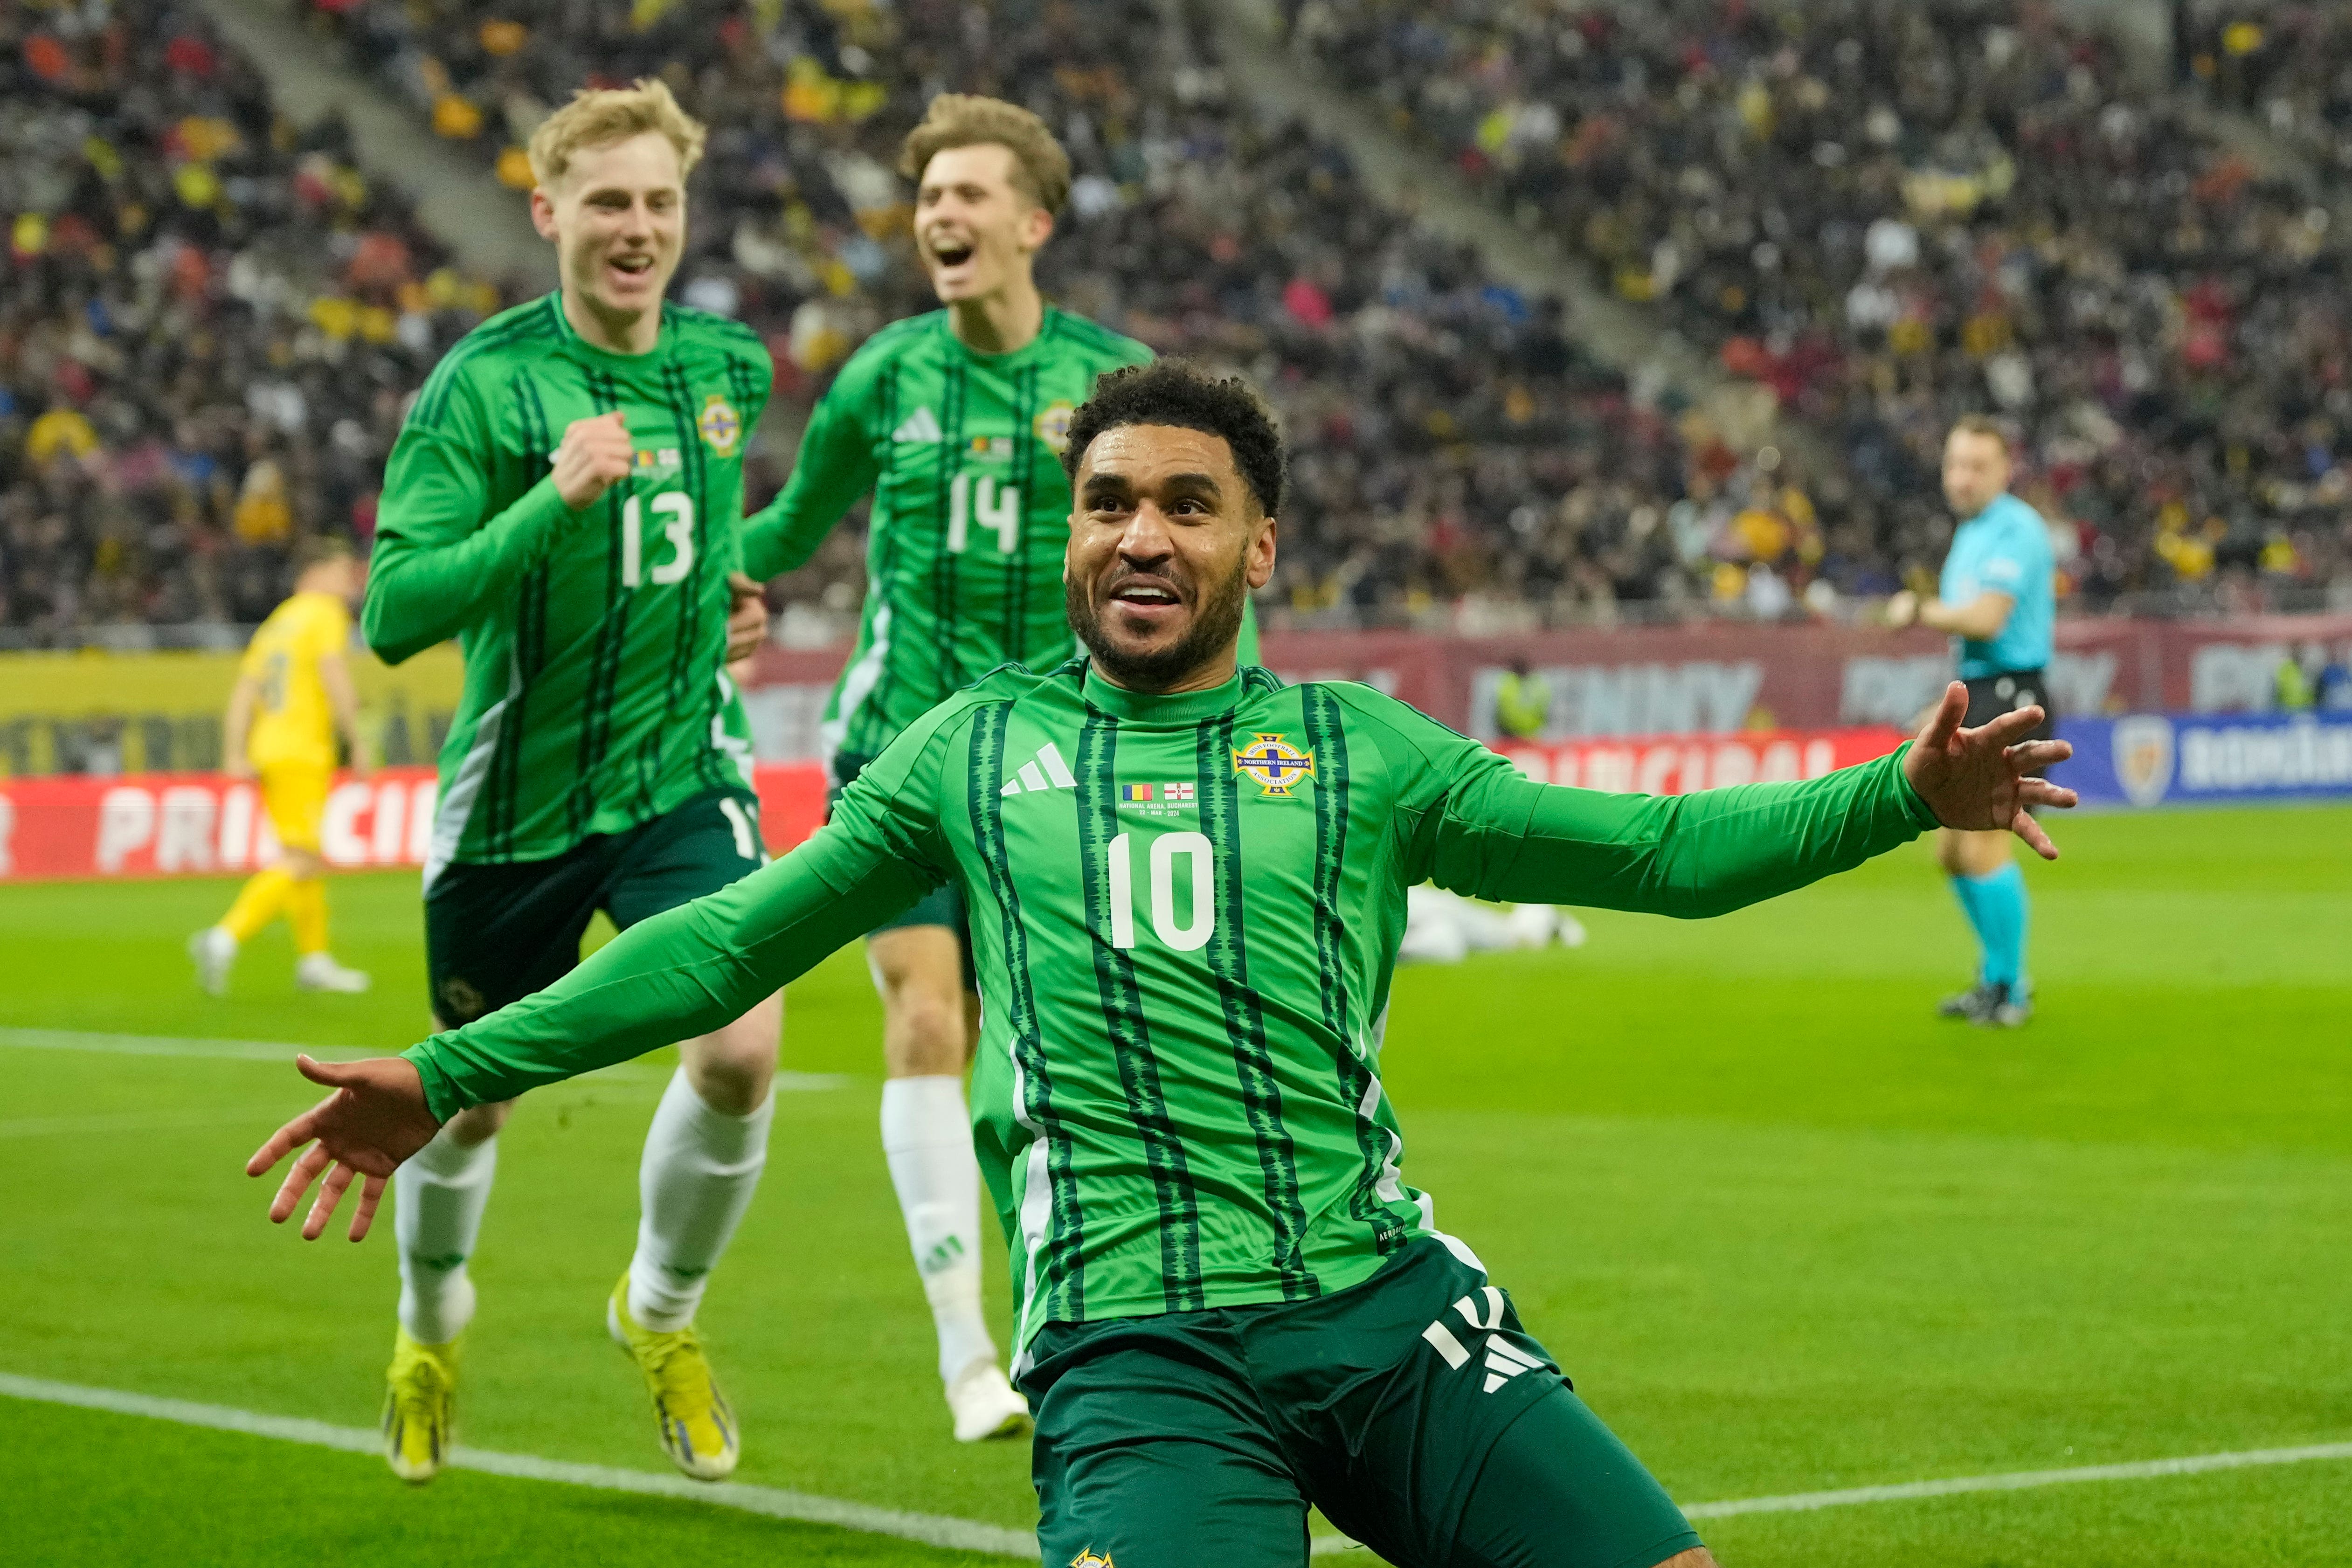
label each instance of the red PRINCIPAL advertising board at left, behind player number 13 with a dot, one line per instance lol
(192, 824)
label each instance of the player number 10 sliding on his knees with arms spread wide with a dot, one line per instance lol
(1229, 1301)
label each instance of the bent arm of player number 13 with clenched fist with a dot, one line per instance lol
(439, 563)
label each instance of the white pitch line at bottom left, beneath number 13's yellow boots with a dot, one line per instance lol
(770, 1501)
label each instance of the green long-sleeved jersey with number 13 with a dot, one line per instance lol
(596, 688)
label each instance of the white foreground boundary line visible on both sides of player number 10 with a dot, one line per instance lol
(973, 1536)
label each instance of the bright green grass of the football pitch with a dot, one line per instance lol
(1786, 1231)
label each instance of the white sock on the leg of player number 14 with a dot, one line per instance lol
(928, 1141)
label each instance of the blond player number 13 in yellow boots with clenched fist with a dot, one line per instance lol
(566, 500)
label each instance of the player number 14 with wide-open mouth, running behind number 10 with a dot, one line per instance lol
(956, 424)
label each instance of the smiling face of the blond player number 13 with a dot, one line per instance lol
(620, 222)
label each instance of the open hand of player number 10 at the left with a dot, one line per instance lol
(373, 1120)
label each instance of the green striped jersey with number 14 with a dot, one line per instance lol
(973, 509)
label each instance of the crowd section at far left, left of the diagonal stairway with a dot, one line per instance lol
(208, 326)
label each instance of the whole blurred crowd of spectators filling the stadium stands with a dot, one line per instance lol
(211, 319)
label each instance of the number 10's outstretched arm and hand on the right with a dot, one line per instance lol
(1723, 850)
